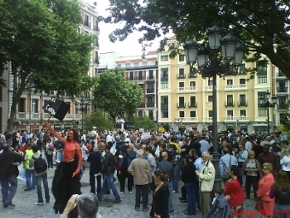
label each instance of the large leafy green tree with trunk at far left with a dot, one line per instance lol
(40, 40)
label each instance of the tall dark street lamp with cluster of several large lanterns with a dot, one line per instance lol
(211, 63)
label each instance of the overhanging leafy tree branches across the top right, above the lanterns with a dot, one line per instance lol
(259, 24)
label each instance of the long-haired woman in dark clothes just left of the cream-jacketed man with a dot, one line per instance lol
(189, 178)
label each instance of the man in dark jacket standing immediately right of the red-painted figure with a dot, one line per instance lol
(95, 160)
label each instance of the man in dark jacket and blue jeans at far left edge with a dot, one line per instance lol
(9, 162)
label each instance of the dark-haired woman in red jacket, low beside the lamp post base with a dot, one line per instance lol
(234, 188)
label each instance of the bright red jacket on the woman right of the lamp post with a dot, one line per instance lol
(236, 192)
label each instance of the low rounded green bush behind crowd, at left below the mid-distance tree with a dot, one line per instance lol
(100, 119)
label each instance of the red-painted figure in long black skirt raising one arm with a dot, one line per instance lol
(66, 178)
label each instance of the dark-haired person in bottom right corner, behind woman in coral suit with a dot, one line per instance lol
(281, 192)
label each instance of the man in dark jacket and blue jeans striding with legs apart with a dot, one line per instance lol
(107, 170)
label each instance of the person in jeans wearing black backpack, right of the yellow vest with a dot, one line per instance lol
(40, 176)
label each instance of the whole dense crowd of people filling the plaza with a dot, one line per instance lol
(151, 165)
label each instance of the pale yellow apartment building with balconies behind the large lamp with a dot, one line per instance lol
(185, 99)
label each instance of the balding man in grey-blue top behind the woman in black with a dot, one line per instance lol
(167, 166)
